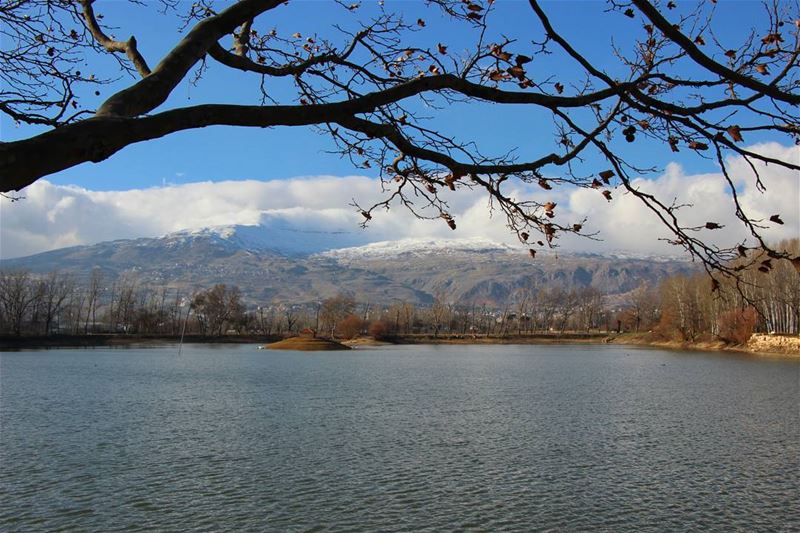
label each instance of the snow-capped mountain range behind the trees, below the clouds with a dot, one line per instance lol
(287, 265)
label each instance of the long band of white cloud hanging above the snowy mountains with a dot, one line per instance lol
(54, 216)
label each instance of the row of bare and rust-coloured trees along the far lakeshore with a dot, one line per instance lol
(57, 309)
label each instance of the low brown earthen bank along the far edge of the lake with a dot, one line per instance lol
(780, 348)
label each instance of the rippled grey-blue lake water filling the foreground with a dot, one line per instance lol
(413, 438)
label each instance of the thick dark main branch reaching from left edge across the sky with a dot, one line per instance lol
(21, 163)
